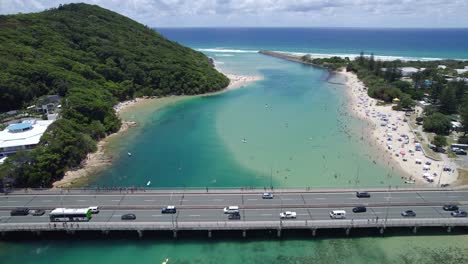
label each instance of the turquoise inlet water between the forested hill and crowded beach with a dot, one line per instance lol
(295, 123)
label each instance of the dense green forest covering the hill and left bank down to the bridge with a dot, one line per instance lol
(93, 58)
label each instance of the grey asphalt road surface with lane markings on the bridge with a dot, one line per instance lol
(208, 207)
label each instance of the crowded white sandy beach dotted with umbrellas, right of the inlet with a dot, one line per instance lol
(395, 138)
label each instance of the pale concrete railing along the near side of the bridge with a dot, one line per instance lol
(233, 225)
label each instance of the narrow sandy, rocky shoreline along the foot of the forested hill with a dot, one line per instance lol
(97, 161)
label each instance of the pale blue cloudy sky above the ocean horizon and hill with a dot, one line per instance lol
(274, 13)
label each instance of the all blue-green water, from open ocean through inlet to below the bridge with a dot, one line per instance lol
(298, 132)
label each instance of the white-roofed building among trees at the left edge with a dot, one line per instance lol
(22, 136)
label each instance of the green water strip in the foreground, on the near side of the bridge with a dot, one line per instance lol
(412, 249)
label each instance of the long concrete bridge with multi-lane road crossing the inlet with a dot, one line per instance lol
(202, 210)
